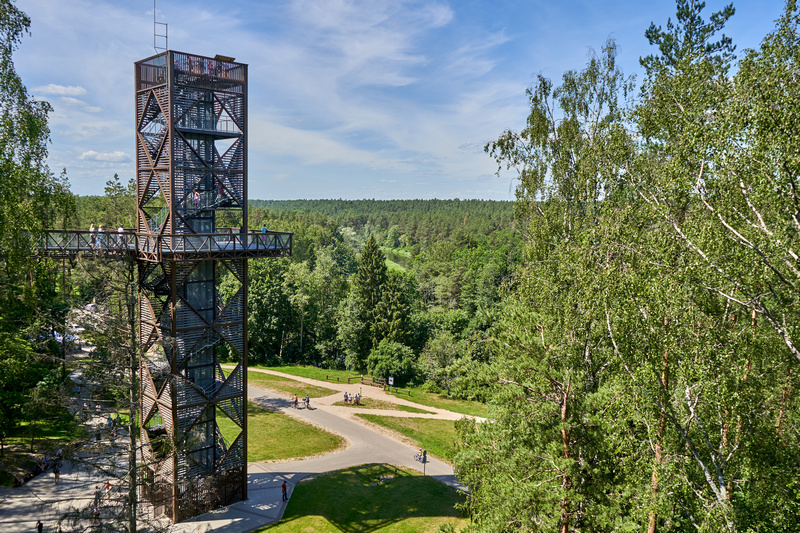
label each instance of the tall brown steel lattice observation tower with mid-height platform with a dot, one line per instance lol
(191, 161)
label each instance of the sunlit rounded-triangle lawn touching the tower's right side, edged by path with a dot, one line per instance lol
(275, 436)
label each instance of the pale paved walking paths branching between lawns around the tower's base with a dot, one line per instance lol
(41, 499)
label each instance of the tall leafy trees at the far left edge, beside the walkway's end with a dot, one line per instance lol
(31, 199)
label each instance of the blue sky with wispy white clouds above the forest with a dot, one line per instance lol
(347, 98)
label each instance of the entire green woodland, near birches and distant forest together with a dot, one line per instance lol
(631, 320)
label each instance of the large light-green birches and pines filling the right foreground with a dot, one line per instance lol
(641, 371)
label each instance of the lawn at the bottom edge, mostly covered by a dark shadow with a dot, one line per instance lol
(371, 498)
